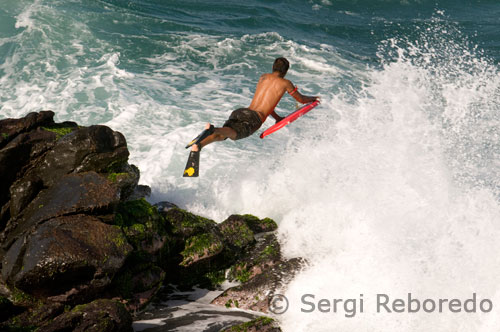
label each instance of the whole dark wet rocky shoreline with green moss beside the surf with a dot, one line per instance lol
(81, 249)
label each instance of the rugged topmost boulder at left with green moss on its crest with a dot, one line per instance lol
(38, 159)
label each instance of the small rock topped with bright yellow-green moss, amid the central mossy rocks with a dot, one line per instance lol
(201, 247)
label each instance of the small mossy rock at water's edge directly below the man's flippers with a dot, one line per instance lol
(186, 224)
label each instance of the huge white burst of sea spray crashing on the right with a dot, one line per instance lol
(397, 202)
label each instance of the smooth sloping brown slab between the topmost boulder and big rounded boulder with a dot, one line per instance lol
(72, 194)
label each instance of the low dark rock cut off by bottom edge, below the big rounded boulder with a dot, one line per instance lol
(97, 316)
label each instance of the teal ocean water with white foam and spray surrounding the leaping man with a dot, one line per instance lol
(390, 186)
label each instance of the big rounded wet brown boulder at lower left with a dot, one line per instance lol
(66, 259)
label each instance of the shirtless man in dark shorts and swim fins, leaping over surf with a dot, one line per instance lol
(245, 121)
